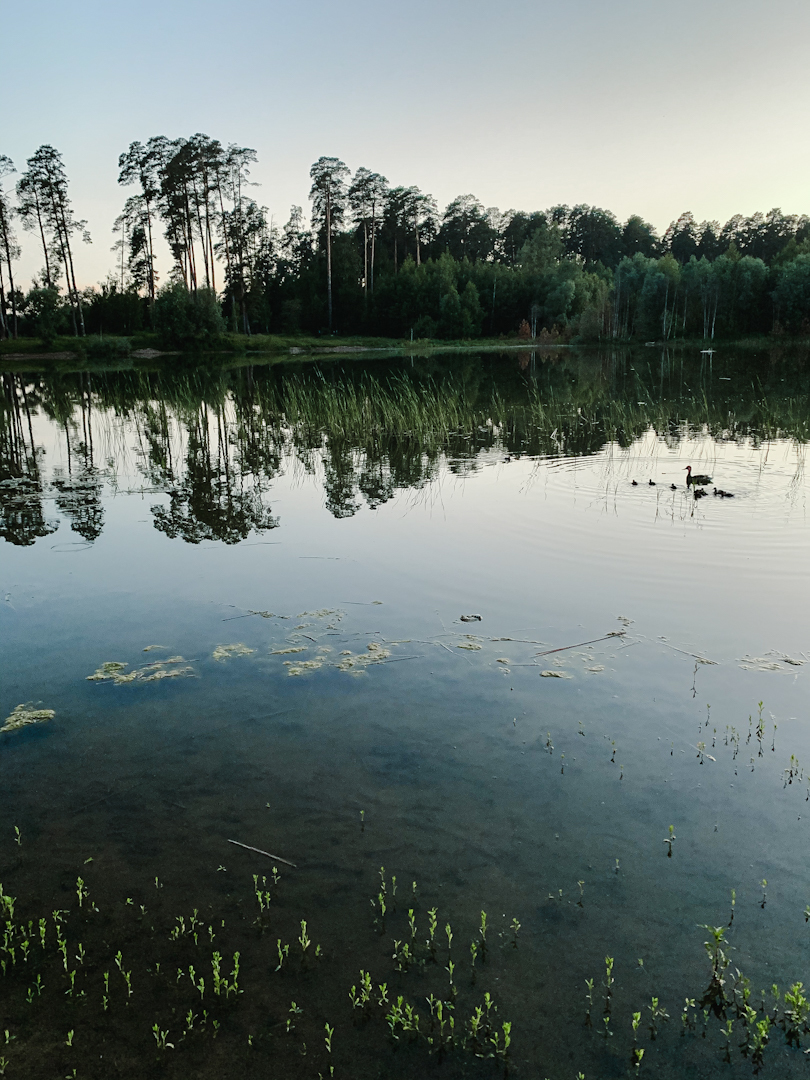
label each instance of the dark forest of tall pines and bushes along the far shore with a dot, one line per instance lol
(196, 256)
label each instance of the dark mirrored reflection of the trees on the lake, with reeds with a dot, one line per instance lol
(214, 438)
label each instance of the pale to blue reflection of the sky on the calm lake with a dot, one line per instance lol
(448, 748)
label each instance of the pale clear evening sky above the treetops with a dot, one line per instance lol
(645, 109)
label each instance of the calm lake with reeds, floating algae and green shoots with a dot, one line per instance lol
(451, 634)
